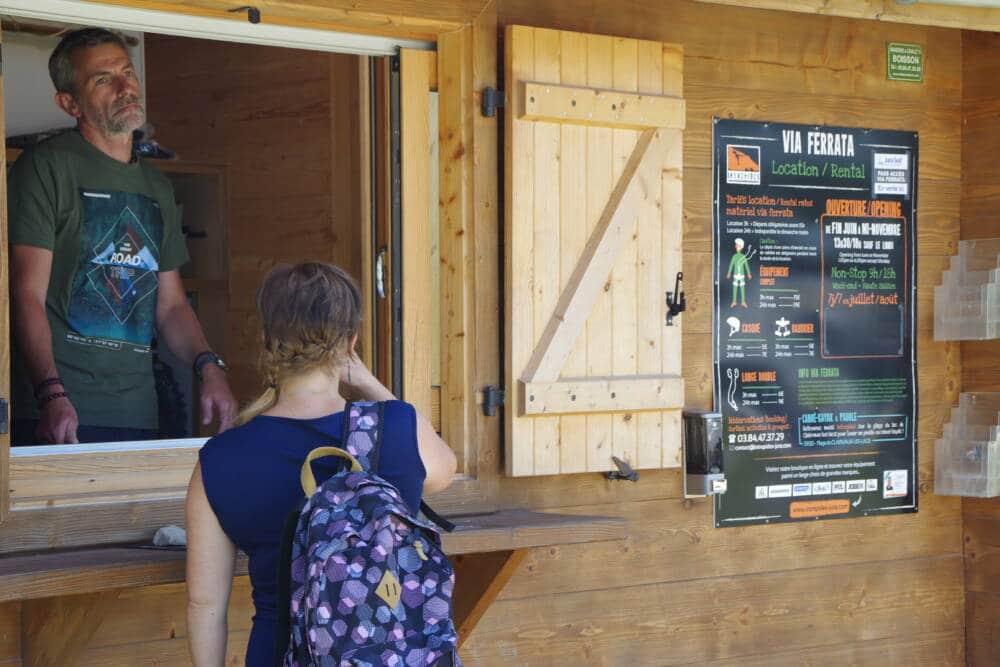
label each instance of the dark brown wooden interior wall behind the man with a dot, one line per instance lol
(285, 123)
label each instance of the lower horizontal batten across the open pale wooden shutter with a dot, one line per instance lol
(605, 395)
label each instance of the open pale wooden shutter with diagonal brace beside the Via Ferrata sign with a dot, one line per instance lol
(592, 244)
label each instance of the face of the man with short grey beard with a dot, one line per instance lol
(106, 94)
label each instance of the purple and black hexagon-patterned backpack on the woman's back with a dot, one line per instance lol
(369, 584)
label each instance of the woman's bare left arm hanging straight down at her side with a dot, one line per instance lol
(211, 562)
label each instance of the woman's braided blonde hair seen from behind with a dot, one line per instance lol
(309, 315)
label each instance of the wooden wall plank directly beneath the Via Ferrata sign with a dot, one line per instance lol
(673, 541)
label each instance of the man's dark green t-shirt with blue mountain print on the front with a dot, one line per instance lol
(112, 227)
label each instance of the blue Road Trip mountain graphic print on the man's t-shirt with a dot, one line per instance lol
(114, 290)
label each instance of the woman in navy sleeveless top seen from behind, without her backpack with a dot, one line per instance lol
(247, 479)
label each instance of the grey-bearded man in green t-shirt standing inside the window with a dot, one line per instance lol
(96, 245)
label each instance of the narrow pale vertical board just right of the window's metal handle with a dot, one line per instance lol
(415, 147)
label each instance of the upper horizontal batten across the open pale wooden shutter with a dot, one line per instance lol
(618, 109)
